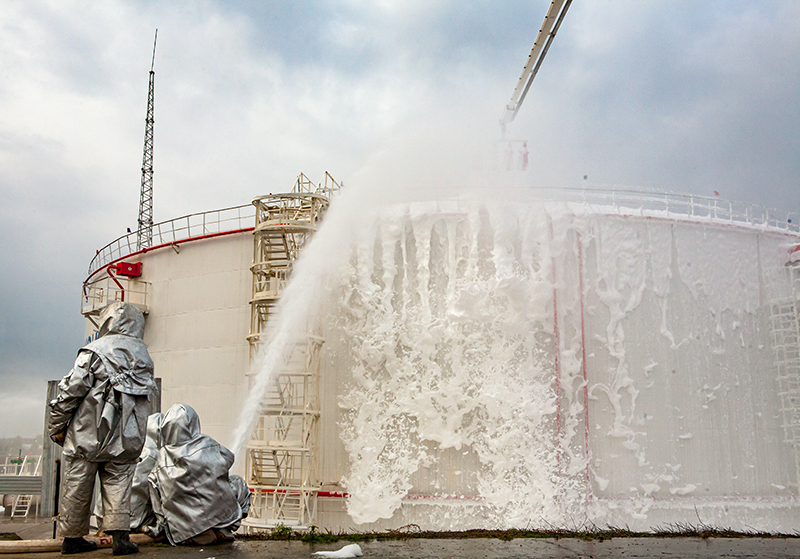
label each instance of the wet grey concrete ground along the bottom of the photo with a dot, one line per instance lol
(661, 548)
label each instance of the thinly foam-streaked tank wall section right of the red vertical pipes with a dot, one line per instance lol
(683, 394)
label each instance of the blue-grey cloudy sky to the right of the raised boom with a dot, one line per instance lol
(669, 96)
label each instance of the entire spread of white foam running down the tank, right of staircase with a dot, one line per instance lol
(448, 321)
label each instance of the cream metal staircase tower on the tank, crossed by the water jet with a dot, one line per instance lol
(281, 455)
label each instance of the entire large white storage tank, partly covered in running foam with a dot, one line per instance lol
(610, 357)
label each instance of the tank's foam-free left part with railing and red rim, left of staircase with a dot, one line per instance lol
(195, 287)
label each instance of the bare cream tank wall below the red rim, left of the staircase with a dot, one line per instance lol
(196, 329)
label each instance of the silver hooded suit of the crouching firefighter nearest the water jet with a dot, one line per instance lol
(190, 487)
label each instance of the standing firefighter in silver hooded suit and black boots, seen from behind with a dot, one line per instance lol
(100, 418)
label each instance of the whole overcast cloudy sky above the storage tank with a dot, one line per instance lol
(680, 95)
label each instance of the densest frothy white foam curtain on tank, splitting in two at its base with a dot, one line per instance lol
(468, 373)
